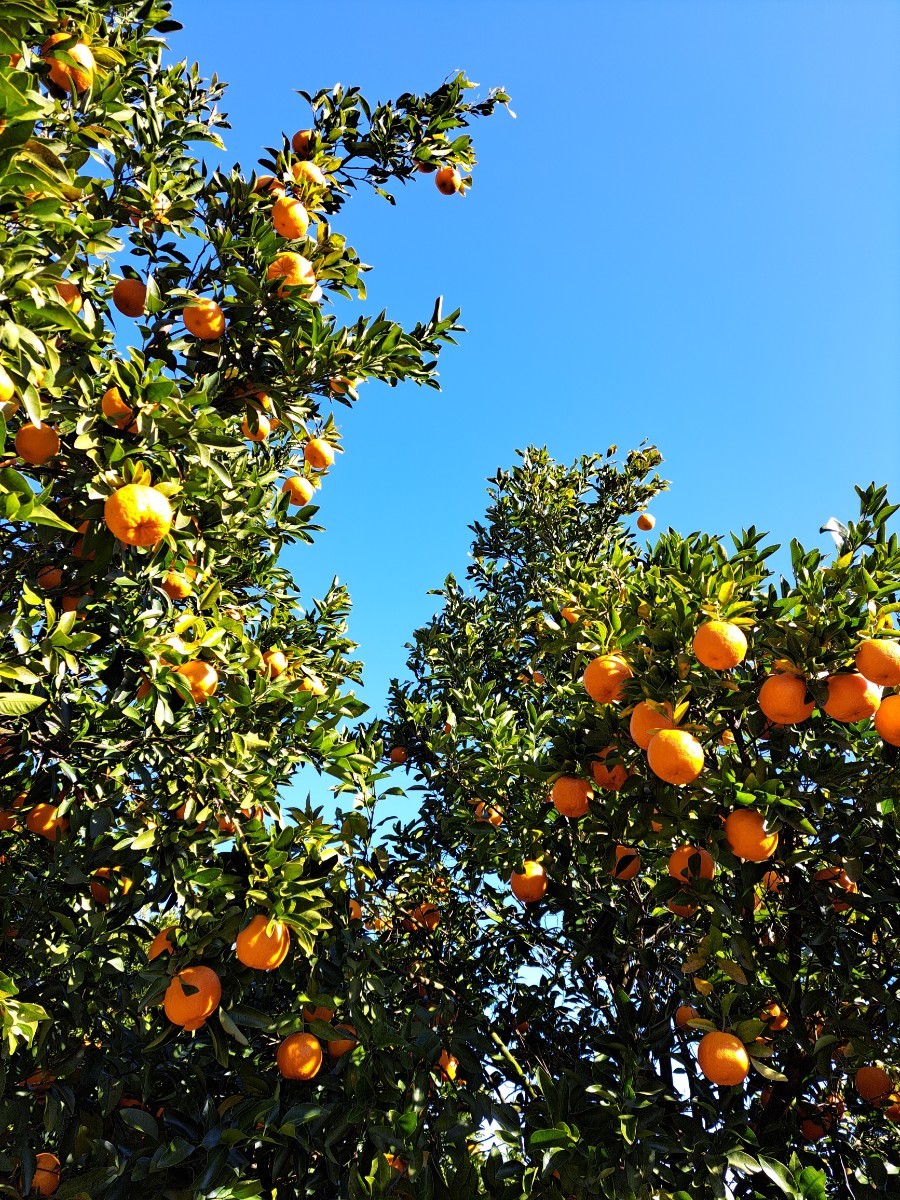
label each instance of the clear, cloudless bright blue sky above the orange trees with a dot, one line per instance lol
(691, 235)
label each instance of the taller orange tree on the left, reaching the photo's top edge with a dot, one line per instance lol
(169, 367)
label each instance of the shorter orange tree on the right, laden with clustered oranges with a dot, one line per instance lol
(663, 781)
